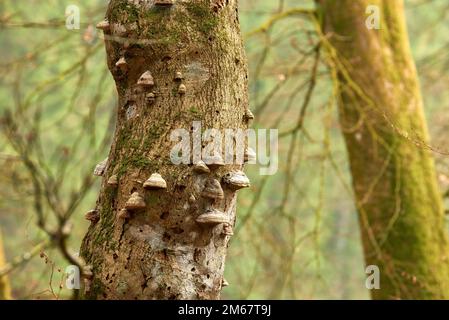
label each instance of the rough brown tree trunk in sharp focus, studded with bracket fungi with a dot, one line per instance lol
(193, 50)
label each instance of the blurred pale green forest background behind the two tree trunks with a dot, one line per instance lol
(297, 234)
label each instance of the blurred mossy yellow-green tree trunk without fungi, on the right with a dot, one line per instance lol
(381, 114)
